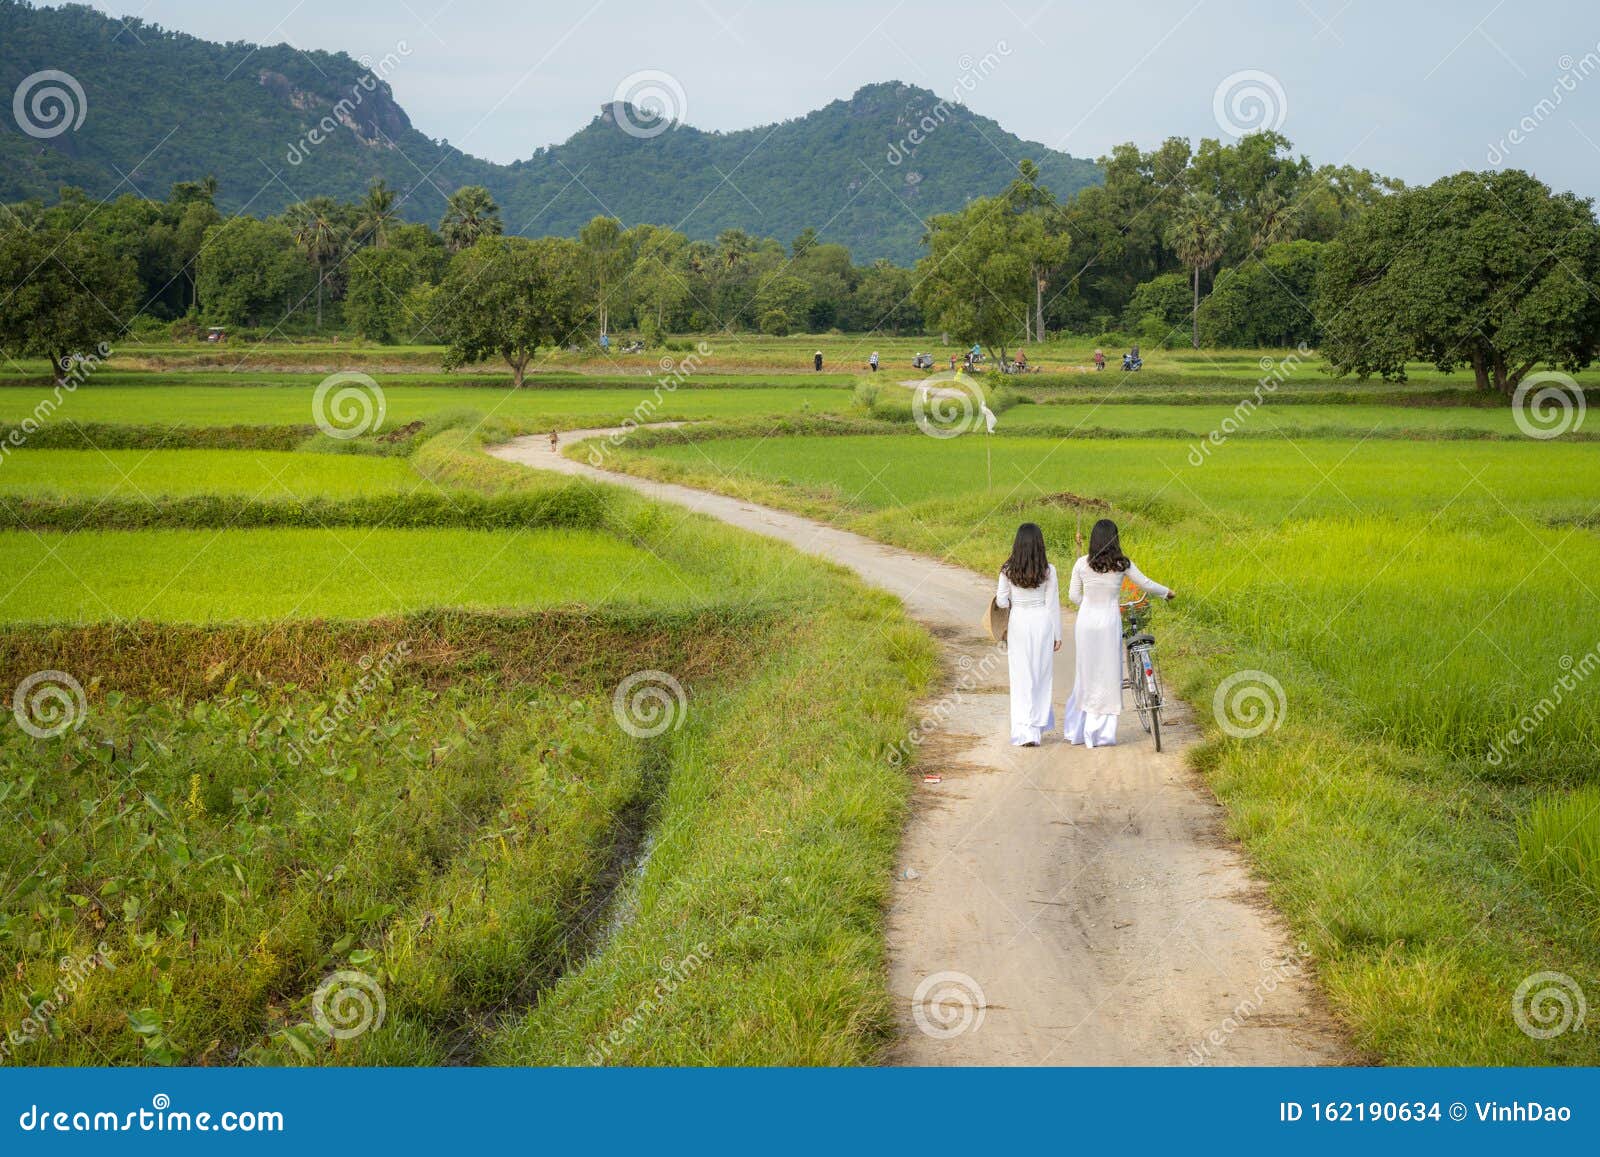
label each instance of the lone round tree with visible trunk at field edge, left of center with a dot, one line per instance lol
(510, 295)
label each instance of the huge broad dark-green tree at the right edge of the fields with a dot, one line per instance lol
(1484, 270)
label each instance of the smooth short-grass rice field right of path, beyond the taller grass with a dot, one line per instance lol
(1262, 481)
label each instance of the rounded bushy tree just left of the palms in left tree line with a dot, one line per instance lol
(249, 271)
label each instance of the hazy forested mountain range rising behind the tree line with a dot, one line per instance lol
(278, 126)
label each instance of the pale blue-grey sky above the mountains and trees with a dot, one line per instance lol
(1414, 90)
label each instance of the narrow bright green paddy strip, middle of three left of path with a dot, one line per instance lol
(169, 473)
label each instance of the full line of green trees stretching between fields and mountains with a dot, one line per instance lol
(1238, 246)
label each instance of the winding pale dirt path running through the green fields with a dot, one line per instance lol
(1055, 905)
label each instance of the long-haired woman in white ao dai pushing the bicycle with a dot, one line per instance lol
(1097, 588)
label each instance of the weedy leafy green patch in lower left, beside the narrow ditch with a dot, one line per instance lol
(238, 876)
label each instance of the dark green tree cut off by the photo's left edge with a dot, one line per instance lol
(68, 294)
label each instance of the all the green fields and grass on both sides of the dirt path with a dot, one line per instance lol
(1414, 578)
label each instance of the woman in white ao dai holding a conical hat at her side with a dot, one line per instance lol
(1033, 595)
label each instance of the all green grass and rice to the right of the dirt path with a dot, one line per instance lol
(1415, 604)
